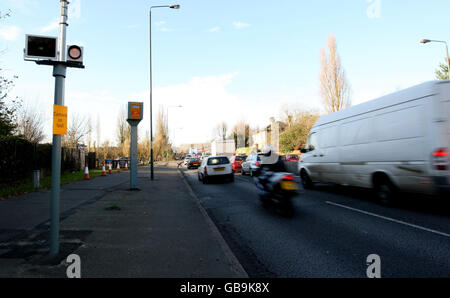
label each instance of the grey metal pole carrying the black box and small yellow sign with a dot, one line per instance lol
(59, 72)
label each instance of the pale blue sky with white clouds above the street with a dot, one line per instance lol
(223, 60)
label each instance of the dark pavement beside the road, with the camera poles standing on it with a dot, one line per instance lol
(160, 231)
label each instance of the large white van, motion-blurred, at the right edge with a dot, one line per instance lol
(399, 142)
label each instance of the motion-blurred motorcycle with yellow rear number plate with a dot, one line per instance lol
(277, 189)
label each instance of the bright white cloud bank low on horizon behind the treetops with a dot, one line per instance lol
(206, 102)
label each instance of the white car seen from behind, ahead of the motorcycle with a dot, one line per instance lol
(214, 167)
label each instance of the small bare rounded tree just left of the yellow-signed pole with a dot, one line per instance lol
(30, 125)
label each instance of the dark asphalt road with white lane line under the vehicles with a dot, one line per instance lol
(332, 233)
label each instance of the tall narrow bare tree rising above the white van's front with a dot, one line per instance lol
(334, 88)
